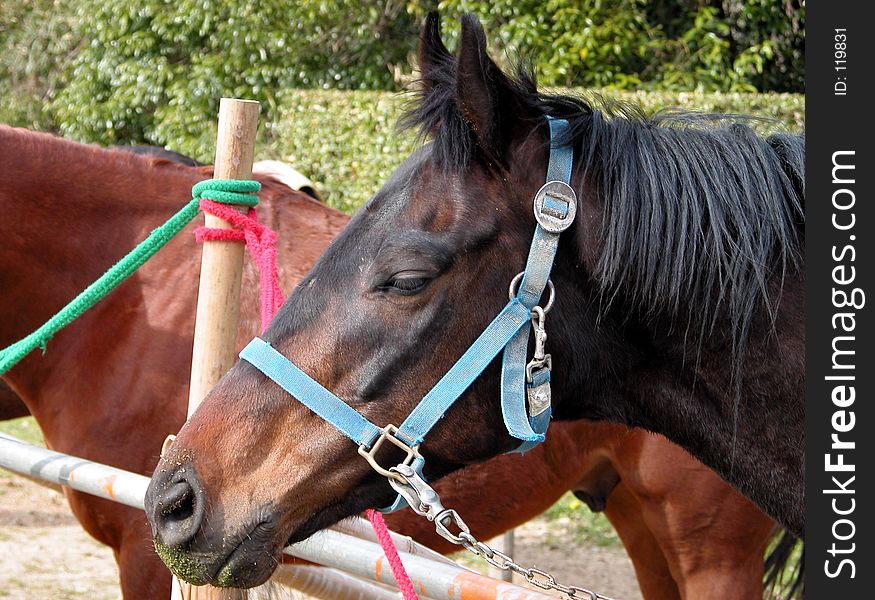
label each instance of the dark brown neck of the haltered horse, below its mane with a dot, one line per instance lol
(671, 376)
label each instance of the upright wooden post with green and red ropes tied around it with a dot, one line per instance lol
(218, 303)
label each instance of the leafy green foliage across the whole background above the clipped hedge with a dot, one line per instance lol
(152, 71)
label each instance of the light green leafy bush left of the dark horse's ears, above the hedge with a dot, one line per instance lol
(154, 70)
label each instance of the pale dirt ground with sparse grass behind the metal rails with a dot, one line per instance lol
(45, 554)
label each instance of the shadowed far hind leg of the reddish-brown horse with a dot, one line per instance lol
(651, 568)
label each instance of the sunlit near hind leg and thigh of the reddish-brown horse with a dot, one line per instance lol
(712, 538)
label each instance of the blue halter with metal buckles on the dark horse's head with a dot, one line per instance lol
(525, 387)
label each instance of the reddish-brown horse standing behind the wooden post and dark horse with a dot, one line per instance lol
(112, 384)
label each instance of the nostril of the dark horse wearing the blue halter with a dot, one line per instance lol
(177, 509)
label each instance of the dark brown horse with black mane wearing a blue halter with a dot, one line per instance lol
(678, 309)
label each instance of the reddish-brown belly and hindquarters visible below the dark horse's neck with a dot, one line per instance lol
(682, 547)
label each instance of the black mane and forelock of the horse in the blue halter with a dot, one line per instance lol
(700, 213)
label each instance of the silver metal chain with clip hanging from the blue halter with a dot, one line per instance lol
(425, 501)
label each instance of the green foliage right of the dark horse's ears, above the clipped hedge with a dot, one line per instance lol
(733, 45)
